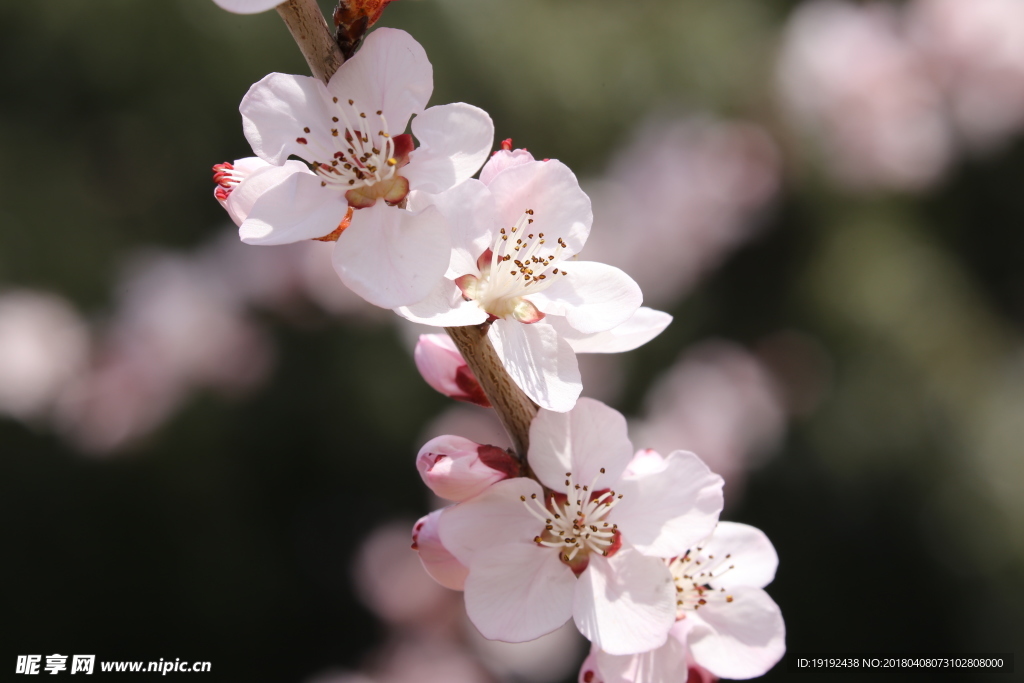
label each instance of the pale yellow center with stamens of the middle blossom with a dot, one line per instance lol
(519, 264)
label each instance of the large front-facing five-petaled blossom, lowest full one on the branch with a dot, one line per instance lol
(589, 544)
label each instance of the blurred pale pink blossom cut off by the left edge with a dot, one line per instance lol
(44, 346)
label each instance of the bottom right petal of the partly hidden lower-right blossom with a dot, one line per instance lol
(740, 639)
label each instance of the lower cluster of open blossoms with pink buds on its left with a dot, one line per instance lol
(627, 545)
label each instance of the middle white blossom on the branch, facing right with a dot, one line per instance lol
(514, 244)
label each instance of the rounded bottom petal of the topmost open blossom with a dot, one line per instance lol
(393, 258)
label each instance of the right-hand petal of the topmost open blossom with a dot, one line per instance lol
(455, 141)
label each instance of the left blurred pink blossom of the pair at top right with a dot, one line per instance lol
(851, 79)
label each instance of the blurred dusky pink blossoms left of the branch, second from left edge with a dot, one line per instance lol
(178, 327)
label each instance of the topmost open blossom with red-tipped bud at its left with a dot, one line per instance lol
(352, 134)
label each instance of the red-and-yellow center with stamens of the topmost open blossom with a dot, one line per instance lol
(360, 157)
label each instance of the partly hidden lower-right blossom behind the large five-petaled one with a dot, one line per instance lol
(727, 625)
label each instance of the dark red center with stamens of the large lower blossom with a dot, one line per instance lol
(576, 526)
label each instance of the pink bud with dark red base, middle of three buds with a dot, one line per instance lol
(458, 469)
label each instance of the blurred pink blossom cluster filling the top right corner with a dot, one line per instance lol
(892, 95)
